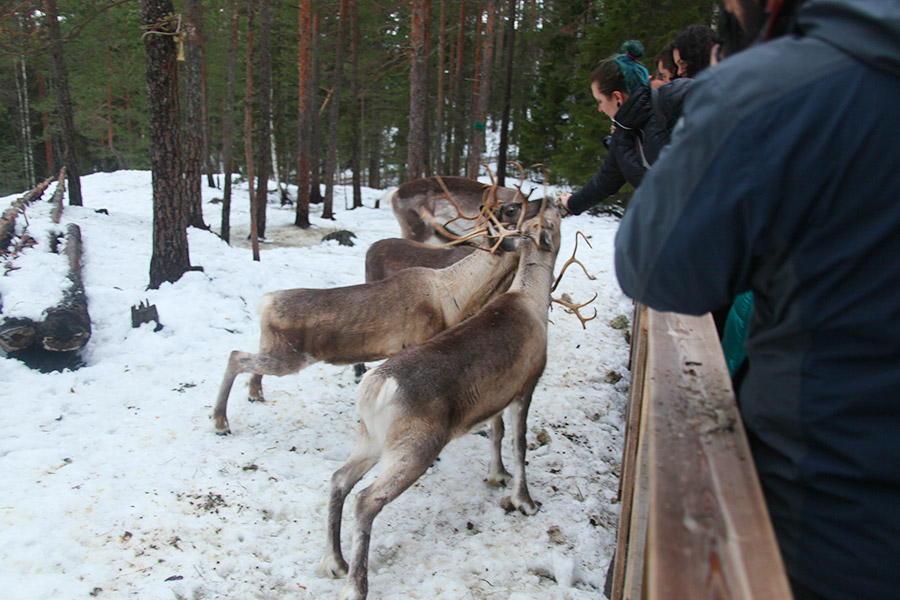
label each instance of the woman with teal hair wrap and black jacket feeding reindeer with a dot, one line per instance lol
(643, 119)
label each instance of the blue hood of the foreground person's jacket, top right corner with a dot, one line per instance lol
(868, 30)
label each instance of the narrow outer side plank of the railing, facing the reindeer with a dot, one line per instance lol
(629, 470)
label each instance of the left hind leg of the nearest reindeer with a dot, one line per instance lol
(361, 461)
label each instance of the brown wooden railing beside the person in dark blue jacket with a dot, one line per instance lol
(693, 523)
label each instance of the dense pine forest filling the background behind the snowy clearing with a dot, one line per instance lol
(307, 91)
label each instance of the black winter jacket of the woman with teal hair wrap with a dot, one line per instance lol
(639, 129)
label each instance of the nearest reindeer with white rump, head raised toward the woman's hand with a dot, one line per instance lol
(421, 398)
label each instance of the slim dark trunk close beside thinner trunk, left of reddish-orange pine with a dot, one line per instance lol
(264, 131)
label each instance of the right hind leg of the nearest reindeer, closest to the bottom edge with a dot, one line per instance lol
(402, 467)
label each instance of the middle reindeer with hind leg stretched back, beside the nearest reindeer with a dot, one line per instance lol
(365, 322)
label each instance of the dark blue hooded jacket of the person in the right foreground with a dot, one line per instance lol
(783, 178)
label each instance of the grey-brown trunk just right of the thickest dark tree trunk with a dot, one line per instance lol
(193, 143)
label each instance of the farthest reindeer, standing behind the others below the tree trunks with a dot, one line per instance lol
(439, 209)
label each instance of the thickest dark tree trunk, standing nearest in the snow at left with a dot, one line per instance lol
(170, 259)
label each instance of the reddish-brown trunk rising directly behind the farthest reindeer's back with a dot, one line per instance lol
(418, 91)
